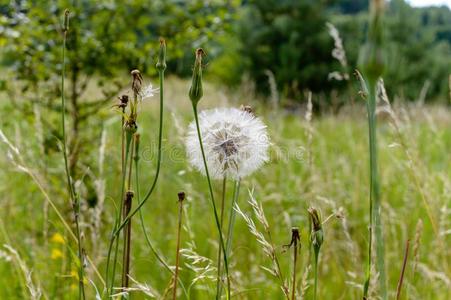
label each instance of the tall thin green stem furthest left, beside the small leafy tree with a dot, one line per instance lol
(74, 199)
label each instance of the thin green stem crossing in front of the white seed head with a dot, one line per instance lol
(218, 225)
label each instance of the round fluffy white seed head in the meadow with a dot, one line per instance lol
(235, 143)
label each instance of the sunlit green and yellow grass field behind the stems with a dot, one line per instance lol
(330, 173)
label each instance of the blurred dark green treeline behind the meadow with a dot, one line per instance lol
(280, 41)
